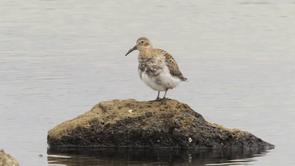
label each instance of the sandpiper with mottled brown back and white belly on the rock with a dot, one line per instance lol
(157, 68)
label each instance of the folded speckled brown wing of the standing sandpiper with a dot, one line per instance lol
(172, 66)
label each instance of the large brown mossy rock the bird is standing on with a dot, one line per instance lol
(148, 124)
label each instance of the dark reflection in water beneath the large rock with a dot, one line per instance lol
(108, 157)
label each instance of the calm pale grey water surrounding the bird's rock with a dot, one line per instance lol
(59, 58)
